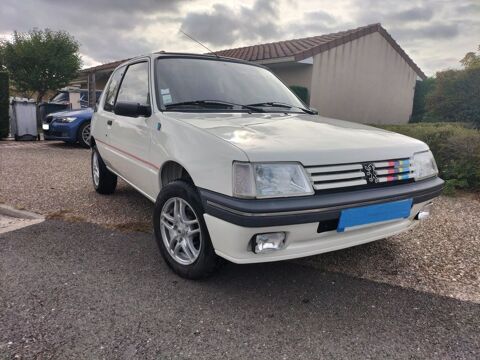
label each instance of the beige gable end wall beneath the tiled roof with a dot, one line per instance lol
(365, 81)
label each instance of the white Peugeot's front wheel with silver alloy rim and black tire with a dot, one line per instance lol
(194, 261)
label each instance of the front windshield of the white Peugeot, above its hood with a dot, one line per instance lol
(187, 80)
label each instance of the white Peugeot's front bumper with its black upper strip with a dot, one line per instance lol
(232, 223)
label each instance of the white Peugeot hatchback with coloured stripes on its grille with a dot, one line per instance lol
(240, 169)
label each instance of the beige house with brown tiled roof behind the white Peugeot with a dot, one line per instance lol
(359, 75)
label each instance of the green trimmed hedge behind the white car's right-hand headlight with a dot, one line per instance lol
(456, 149)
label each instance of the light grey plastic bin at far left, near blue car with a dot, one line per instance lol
(24, 120)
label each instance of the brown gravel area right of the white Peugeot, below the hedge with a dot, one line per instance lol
(441, 255)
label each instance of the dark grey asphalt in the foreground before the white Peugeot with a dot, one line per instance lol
(78, 290)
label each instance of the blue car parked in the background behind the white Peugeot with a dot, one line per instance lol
(70, 126)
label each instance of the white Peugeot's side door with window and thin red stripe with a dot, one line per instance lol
(130, 136)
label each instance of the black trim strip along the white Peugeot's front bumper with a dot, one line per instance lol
(309, 209)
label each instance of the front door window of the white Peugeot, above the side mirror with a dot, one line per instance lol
(134, 86)
